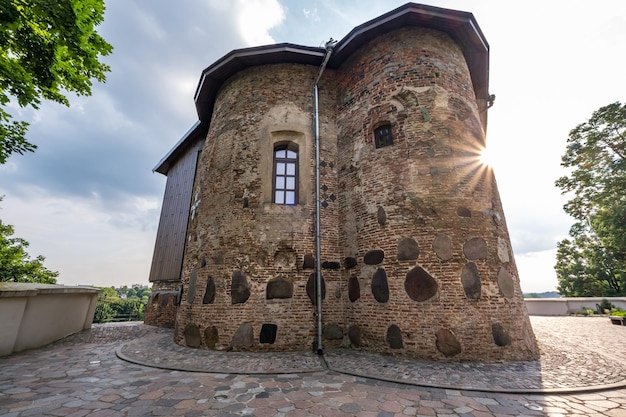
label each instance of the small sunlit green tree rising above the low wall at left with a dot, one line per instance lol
(15, 263)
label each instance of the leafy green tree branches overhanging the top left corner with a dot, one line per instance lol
(47, 48)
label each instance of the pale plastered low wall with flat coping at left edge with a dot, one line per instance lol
(34, 315)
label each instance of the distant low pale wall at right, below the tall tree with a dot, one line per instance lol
(565, 306)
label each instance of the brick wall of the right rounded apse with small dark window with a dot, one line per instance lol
(447, 287)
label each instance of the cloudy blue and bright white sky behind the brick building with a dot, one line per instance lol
(88, 201)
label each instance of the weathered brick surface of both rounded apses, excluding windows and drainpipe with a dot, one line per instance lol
(427, 187)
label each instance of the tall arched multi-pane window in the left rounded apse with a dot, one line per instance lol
(285, 188)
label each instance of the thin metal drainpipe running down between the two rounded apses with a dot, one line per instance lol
(318, 251)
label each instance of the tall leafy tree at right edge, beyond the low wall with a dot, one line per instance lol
(593, 261)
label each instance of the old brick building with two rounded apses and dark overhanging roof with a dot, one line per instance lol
(415, 253)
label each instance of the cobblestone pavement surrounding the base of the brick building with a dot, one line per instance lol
(82, 376)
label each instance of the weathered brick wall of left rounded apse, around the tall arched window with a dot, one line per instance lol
(241, 247)
